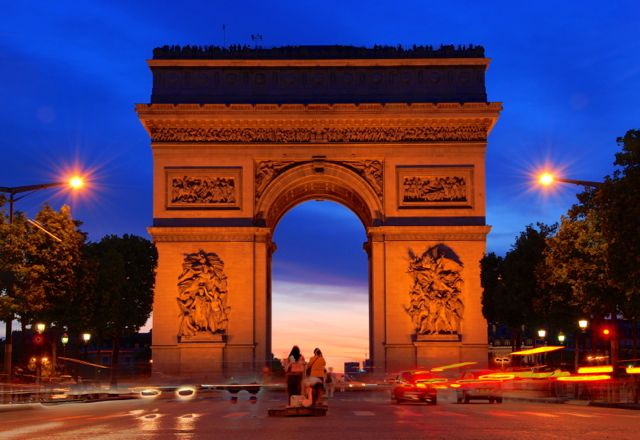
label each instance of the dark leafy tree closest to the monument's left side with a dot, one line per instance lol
(119, 287)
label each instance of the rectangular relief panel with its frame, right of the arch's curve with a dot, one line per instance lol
(435, 186)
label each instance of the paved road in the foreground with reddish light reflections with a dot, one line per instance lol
(351, 416)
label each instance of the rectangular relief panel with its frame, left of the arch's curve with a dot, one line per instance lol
(208, 188)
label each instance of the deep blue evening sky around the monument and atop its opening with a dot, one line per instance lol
(567, 73)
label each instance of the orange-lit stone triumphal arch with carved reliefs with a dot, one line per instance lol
(240, 136)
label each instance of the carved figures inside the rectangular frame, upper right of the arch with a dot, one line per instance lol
(434, 189)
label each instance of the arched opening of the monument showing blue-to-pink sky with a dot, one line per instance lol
(320, 291)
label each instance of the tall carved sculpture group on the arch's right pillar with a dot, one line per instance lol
(435, 306)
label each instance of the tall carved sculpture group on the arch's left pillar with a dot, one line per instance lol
(202, 295)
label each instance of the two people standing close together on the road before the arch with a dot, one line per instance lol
(296, 369)
